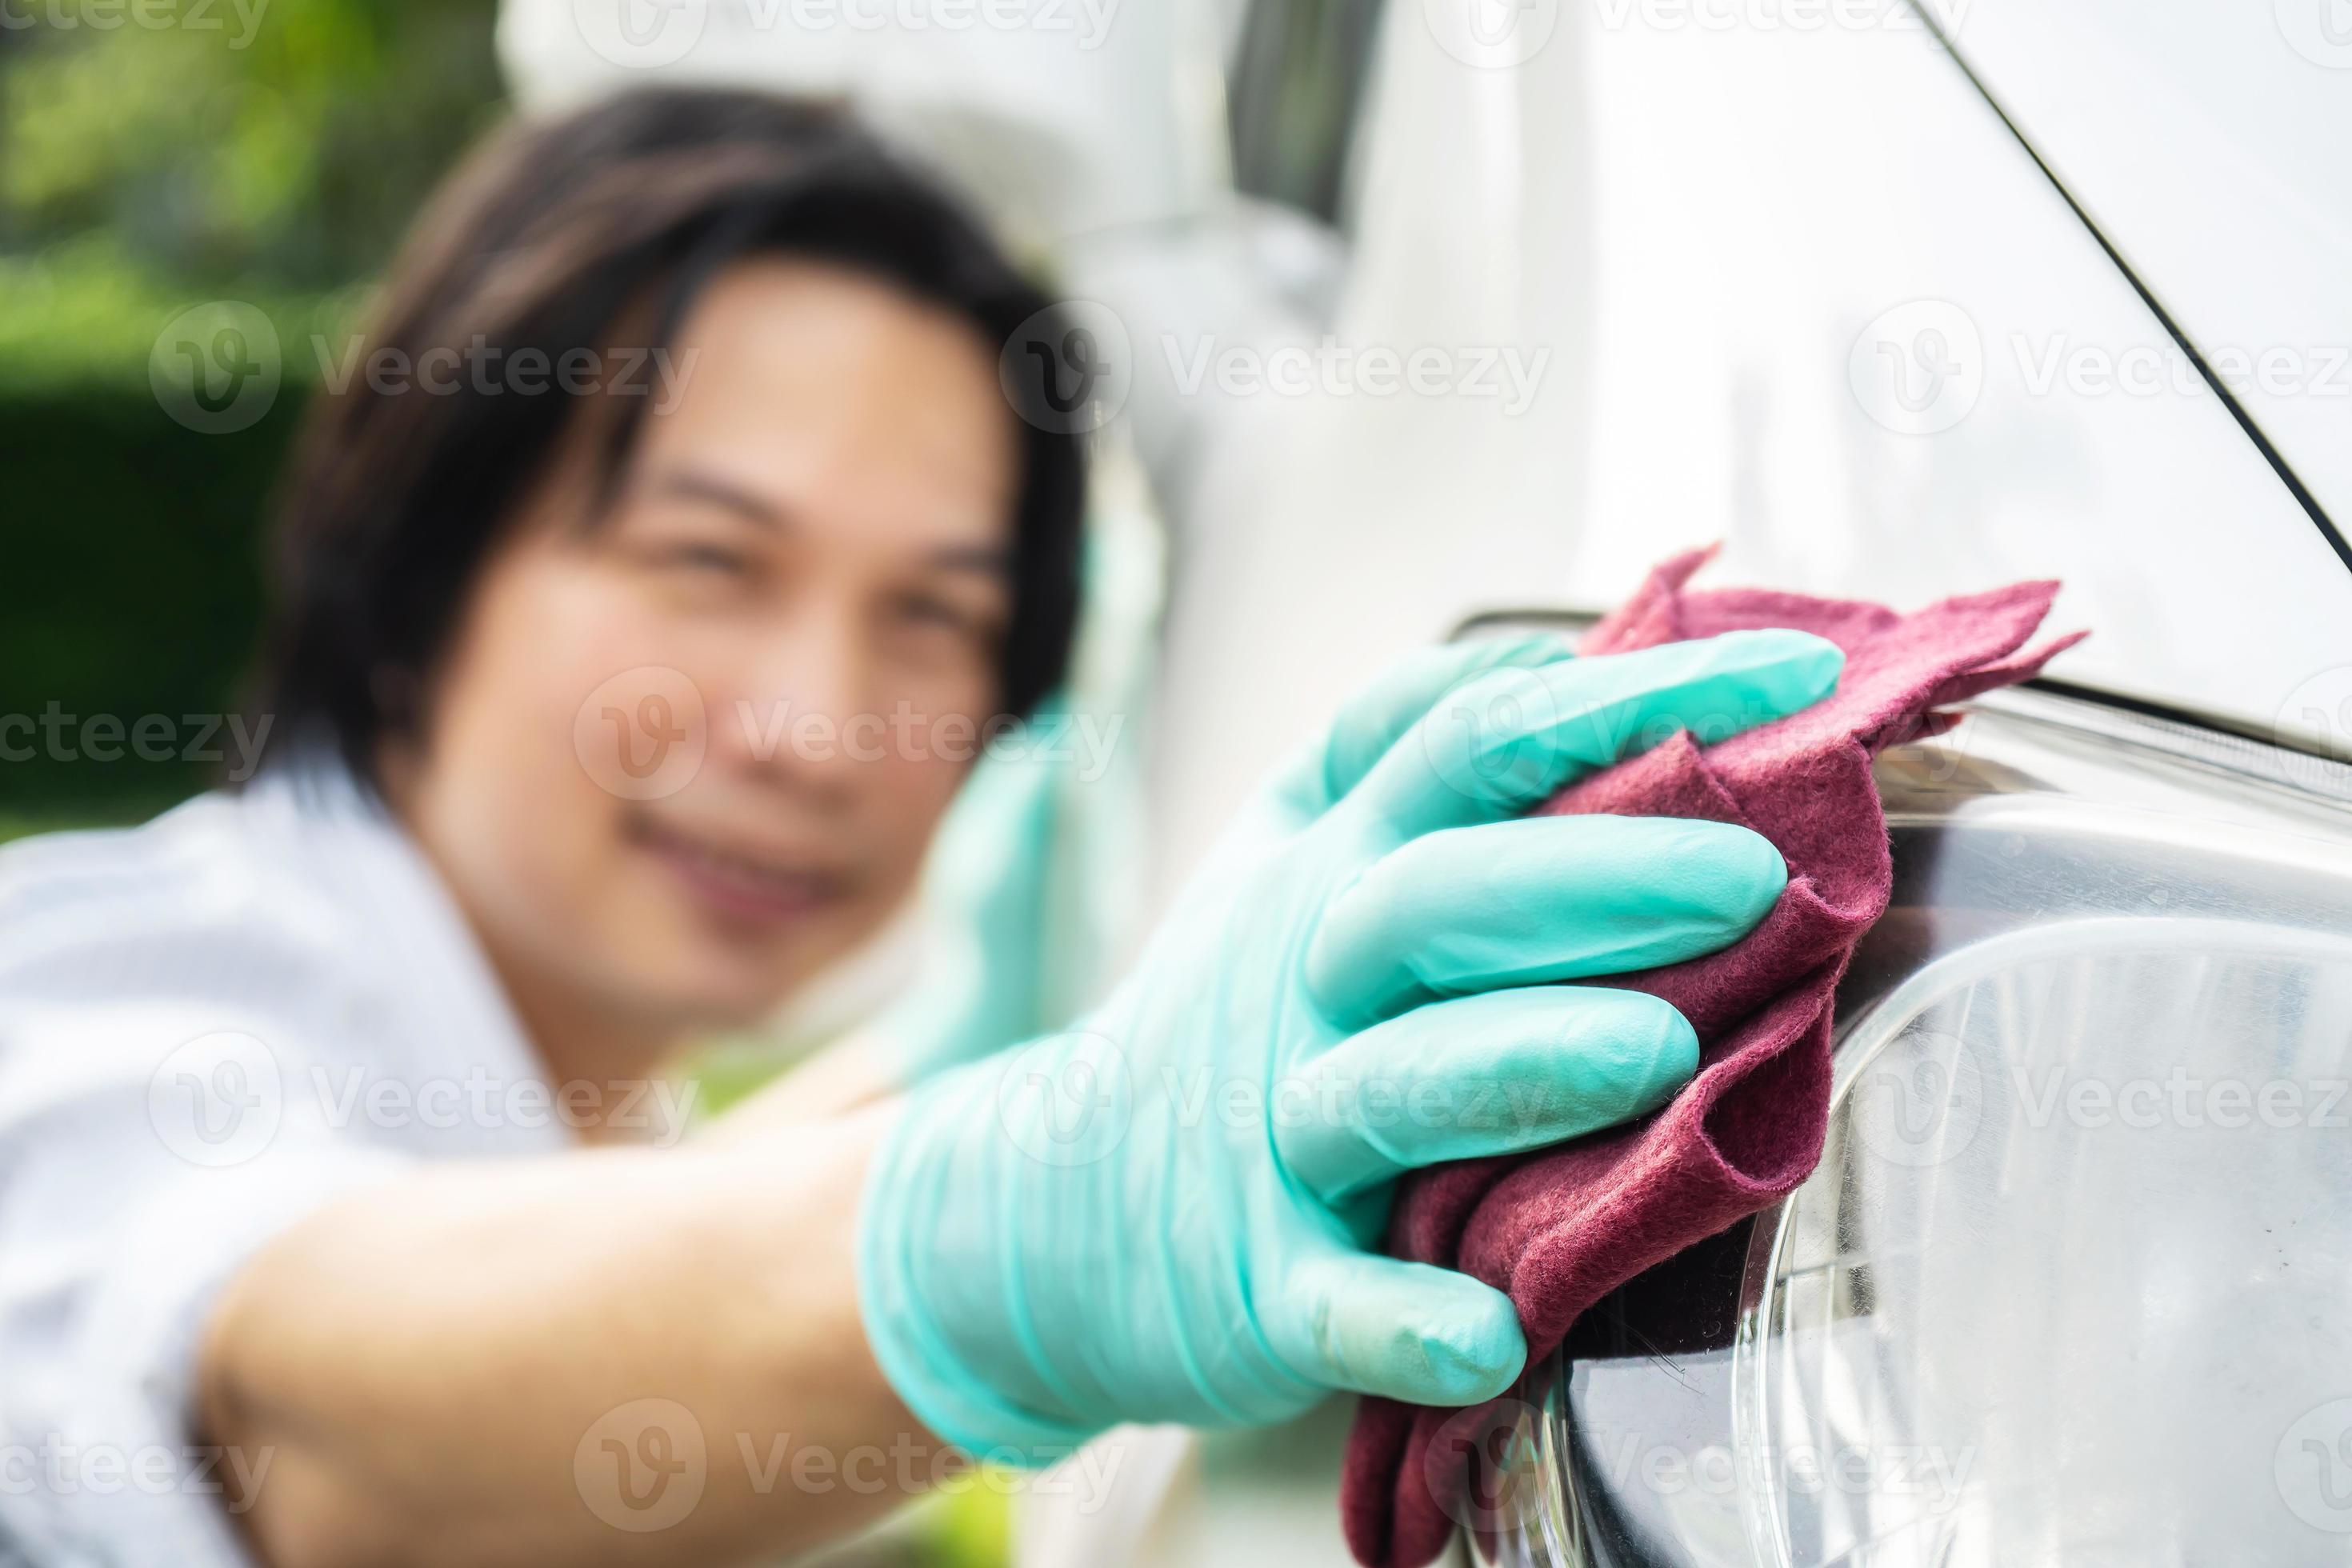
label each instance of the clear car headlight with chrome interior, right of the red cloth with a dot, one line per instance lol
(2073, 1282)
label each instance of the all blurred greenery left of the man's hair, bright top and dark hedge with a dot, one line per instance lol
(154, 156)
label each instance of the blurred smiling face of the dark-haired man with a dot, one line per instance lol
(803, 584)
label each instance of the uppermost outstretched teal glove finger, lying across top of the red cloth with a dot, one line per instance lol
(1509, 739)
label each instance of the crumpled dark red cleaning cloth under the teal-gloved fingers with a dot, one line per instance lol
(1563, 1228)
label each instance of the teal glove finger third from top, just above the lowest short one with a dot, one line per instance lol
(1485, 1076)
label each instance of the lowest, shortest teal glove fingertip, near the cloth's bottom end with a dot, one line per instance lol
(1398, 1329)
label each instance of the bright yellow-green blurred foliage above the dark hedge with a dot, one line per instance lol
(272, 145)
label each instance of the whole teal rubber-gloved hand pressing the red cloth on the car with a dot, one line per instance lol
(1165, 1214)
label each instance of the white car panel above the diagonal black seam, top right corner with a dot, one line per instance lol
(2207, 142)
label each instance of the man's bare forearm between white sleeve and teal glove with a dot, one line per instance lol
(450, 1369)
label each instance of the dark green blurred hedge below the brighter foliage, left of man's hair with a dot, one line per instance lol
(131, 589)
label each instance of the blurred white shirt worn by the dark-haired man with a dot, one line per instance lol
(211, 1028)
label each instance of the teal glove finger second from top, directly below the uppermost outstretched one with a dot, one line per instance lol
(1532, 902)
